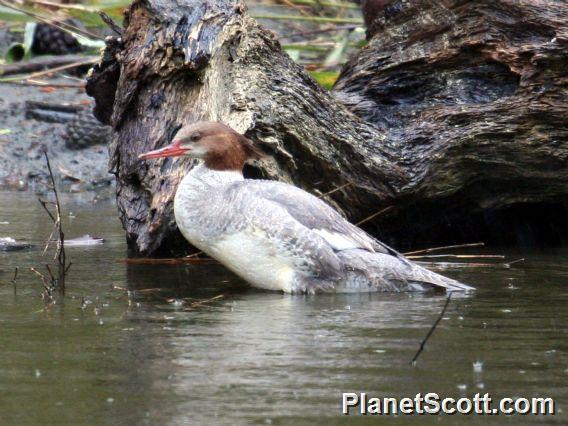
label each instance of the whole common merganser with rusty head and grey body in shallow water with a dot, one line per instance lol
(274, 235)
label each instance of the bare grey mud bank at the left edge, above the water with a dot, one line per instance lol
(22, 142)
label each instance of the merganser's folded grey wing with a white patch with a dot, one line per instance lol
(318, 216)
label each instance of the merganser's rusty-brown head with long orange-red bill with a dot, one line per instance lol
(217, 144)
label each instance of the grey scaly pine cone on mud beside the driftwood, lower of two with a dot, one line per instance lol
(85, 130)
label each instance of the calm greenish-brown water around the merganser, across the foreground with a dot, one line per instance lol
(107, 355)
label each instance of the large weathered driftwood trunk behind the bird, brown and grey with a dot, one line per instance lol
(454, 109)
